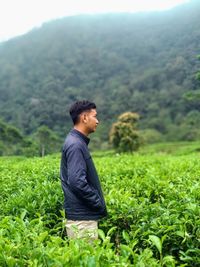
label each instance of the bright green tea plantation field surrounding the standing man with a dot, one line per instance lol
(153, 201)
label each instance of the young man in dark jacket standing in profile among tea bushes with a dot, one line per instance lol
(83, 198)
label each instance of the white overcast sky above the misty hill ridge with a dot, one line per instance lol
(19, 16)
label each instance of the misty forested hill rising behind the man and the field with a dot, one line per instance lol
(144, 63)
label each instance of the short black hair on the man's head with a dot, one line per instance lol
(78, 107)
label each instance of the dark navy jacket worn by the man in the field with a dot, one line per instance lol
(80, 183)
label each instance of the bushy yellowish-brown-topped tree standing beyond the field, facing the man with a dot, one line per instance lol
(123, 134)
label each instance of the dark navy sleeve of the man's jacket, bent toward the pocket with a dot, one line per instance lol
(77, 173)
